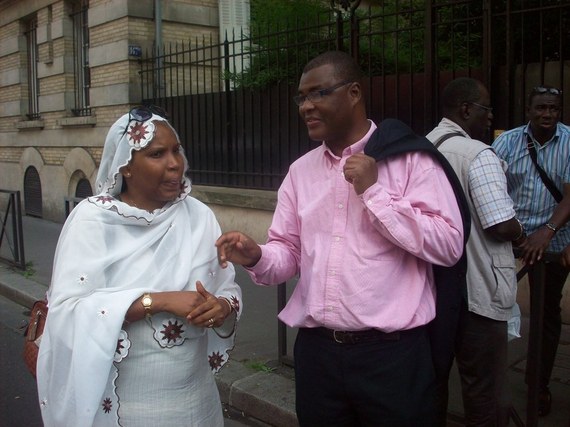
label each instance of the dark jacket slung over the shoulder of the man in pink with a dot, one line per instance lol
(393, 137)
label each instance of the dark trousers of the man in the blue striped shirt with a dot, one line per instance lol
(554, 278)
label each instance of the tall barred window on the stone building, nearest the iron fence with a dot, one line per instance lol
(81, 70)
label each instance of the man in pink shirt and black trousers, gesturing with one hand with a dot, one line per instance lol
(362, 236)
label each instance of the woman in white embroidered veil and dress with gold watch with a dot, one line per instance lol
(140, 313)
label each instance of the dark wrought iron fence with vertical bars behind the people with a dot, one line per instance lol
(231, 101)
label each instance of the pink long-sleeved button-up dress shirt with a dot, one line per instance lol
(363, 261)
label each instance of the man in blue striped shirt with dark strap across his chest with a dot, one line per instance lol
(543, 217)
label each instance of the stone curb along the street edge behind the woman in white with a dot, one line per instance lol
(263, 398)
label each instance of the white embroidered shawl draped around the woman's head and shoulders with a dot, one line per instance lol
(108, 255)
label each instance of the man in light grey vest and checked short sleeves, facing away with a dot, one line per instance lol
(481, 338)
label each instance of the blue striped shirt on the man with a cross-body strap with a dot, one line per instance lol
(533, 202)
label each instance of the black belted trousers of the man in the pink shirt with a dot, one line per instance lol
(380, 383)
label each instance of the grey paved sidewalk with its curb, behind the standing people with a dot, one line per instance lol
(252, 383)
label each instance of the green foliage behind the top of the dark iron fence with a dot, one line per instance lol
(285, 34)
